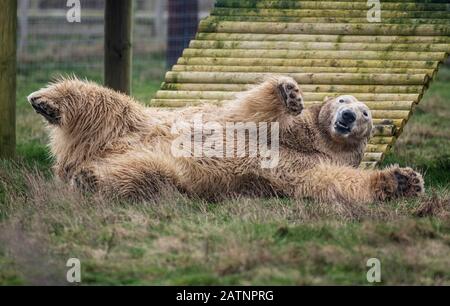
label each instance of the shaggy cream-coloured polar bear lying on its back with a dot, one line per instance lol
(106, 142)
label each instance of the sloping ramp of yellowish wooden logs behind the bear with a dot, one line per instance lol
(329, 47)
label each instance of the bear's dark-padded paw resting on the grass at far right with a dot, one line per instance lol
(400, 182)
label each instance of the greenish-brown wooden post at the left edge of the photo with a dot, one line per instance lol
(8, 38)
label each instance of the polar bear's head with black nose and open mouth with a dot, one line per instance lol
(346, 120)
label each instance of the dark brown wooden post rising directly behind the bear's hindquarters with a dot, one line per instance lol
(118, 44)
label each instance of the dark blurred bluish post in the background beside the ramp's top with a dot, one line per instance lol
(183, 24)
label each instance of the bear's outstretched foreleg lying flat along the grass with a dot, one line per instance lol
(330, 183)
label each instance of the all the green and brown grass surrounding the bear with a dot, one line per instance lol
(178, 241)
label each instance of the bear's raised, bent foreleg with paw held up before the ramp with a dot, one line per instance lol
(273, 100)
